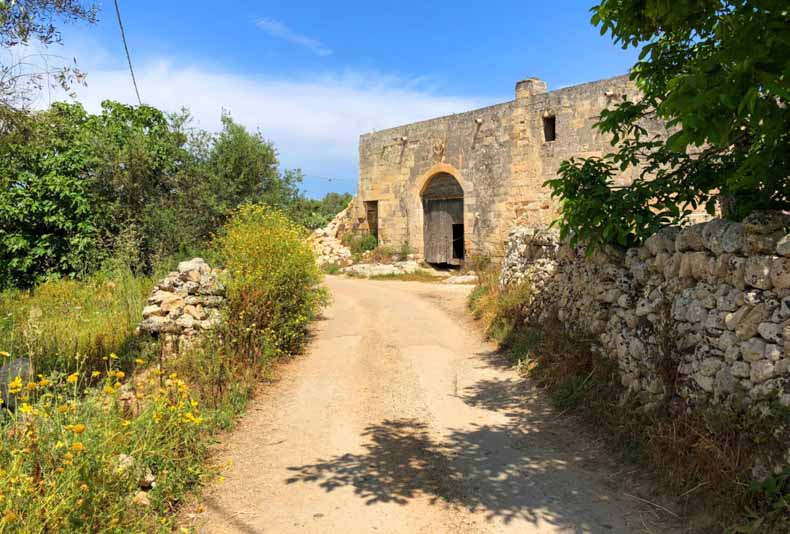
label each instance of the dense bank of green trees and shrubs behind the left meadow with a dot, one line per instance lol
(75, 188)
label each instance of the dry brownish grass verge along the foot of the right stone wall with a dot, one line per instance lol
(704, 456)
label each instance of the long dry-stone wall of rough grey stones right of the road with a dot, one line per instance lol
(705, 307)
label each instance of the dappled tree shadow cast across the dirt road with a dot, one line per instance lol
(519, 470)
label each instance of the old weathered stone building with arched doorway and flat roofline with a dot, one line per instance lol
(455, 185)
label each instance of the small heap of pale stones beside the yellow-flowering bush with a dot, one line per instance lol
(185, 302)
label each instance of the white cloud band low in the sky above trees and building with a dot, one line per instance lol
(314, 121)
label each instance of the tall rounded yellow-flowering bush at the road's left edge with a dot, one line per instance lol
(272, 282)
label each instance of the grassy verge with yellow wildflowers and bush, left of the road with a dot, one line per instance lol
(100, 439)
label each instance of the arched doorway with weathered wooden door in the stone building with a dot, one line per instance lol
(443, 220)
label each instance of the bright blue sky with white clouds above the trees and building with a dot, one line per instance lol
(313, 76)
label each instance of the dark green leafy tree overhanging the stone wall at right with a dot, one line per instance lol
(717, 72)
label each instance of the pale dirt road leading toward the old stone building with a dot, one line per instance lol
(400, 418)
